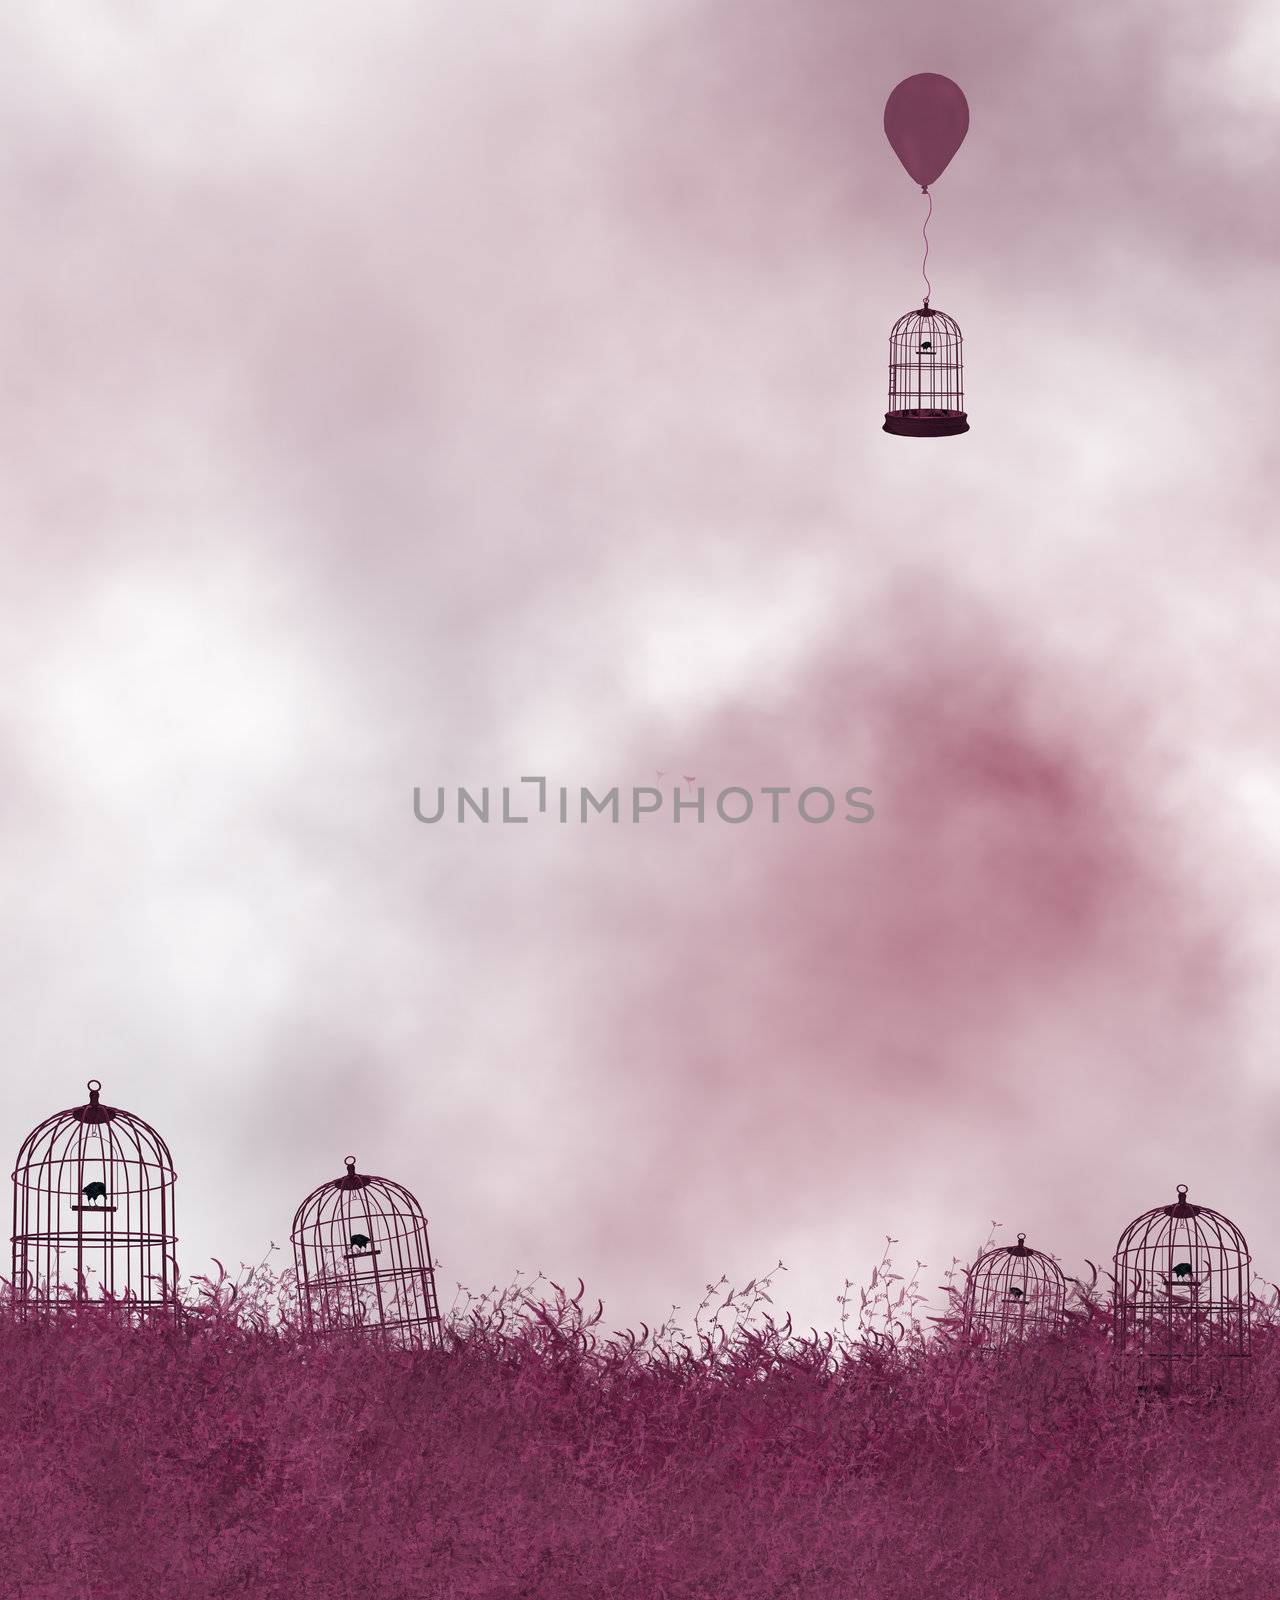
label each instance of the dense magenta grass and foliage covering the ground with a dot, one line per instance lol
(534, 1457)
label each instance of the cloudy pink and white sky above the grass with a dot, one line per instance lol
(439, 394)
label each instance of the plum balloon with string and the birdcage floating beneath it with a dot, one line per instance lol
(926, 121)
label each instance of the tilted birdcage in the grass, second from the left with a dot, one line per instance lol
(364, 1263)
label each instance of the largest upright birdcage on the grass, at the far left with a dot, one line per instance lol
(94, 1217)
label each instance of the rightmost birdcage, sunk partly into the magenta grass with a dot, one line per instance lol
(1182, 1310)
